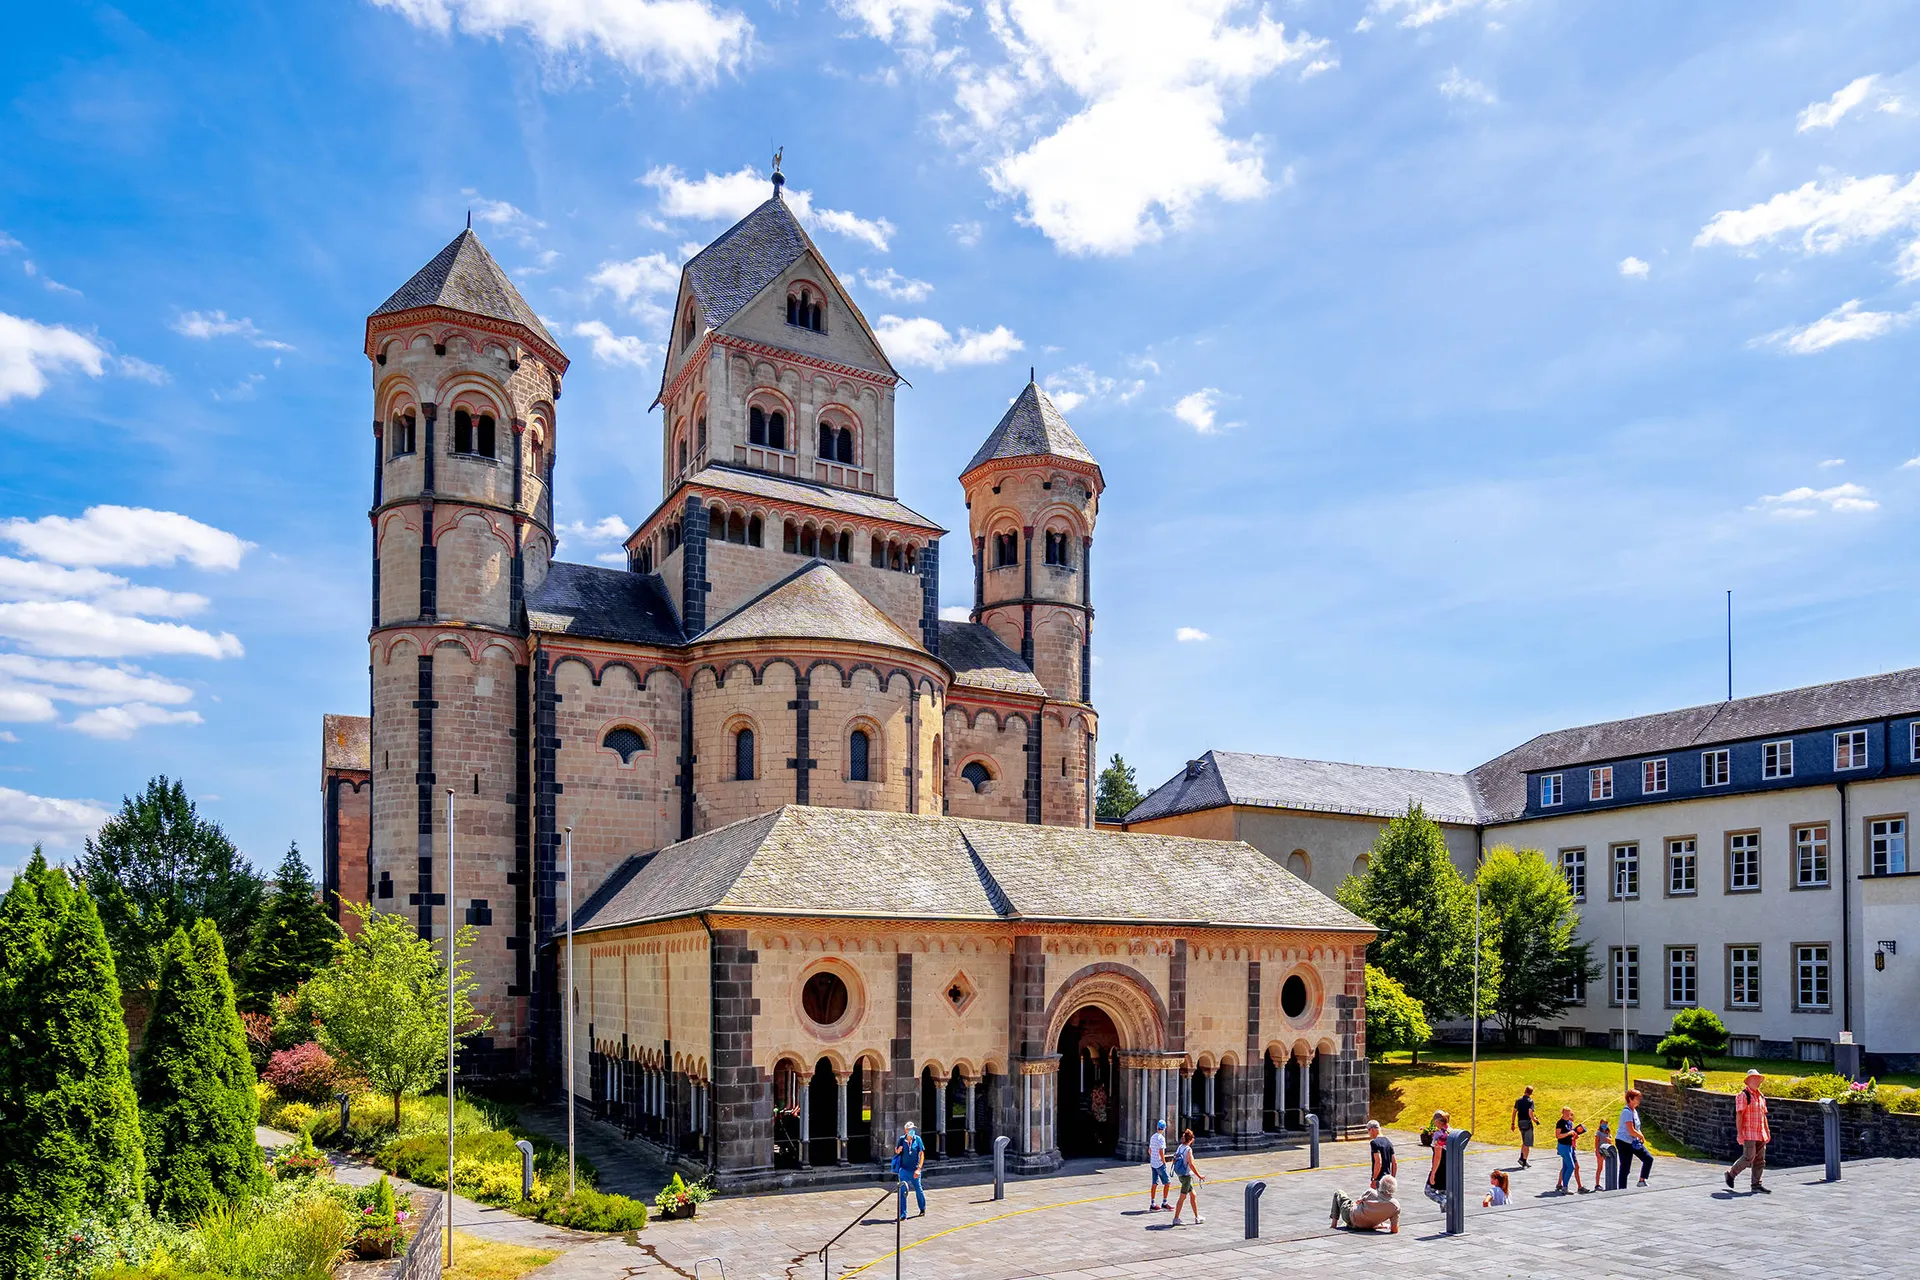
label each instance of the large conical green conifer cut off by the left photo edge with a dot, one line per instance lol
(68, 1106)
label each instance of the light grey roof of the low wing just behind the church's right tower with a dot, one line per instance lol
(1316, 786)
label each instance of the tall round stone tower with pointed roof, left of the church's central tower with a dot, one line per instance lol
(466, 383)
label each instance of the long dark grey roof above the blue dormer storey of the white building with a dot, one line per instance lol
(1502, 782)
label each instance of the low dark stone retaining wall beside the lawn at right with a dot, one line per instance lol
(1704, 1120)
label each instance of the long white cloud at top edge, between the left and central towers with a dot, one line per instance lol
(658, 39)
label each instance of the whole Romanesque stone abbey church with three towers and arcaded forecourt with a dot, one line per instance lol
(834, 861)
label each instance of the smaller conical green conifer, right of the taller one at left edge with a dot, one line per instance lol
(197, 1083)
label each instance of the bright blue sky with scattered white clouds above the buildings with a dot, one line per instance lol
(1447, 360)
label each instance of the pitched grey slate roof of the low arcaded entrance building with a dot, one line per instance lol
(878, 865)
